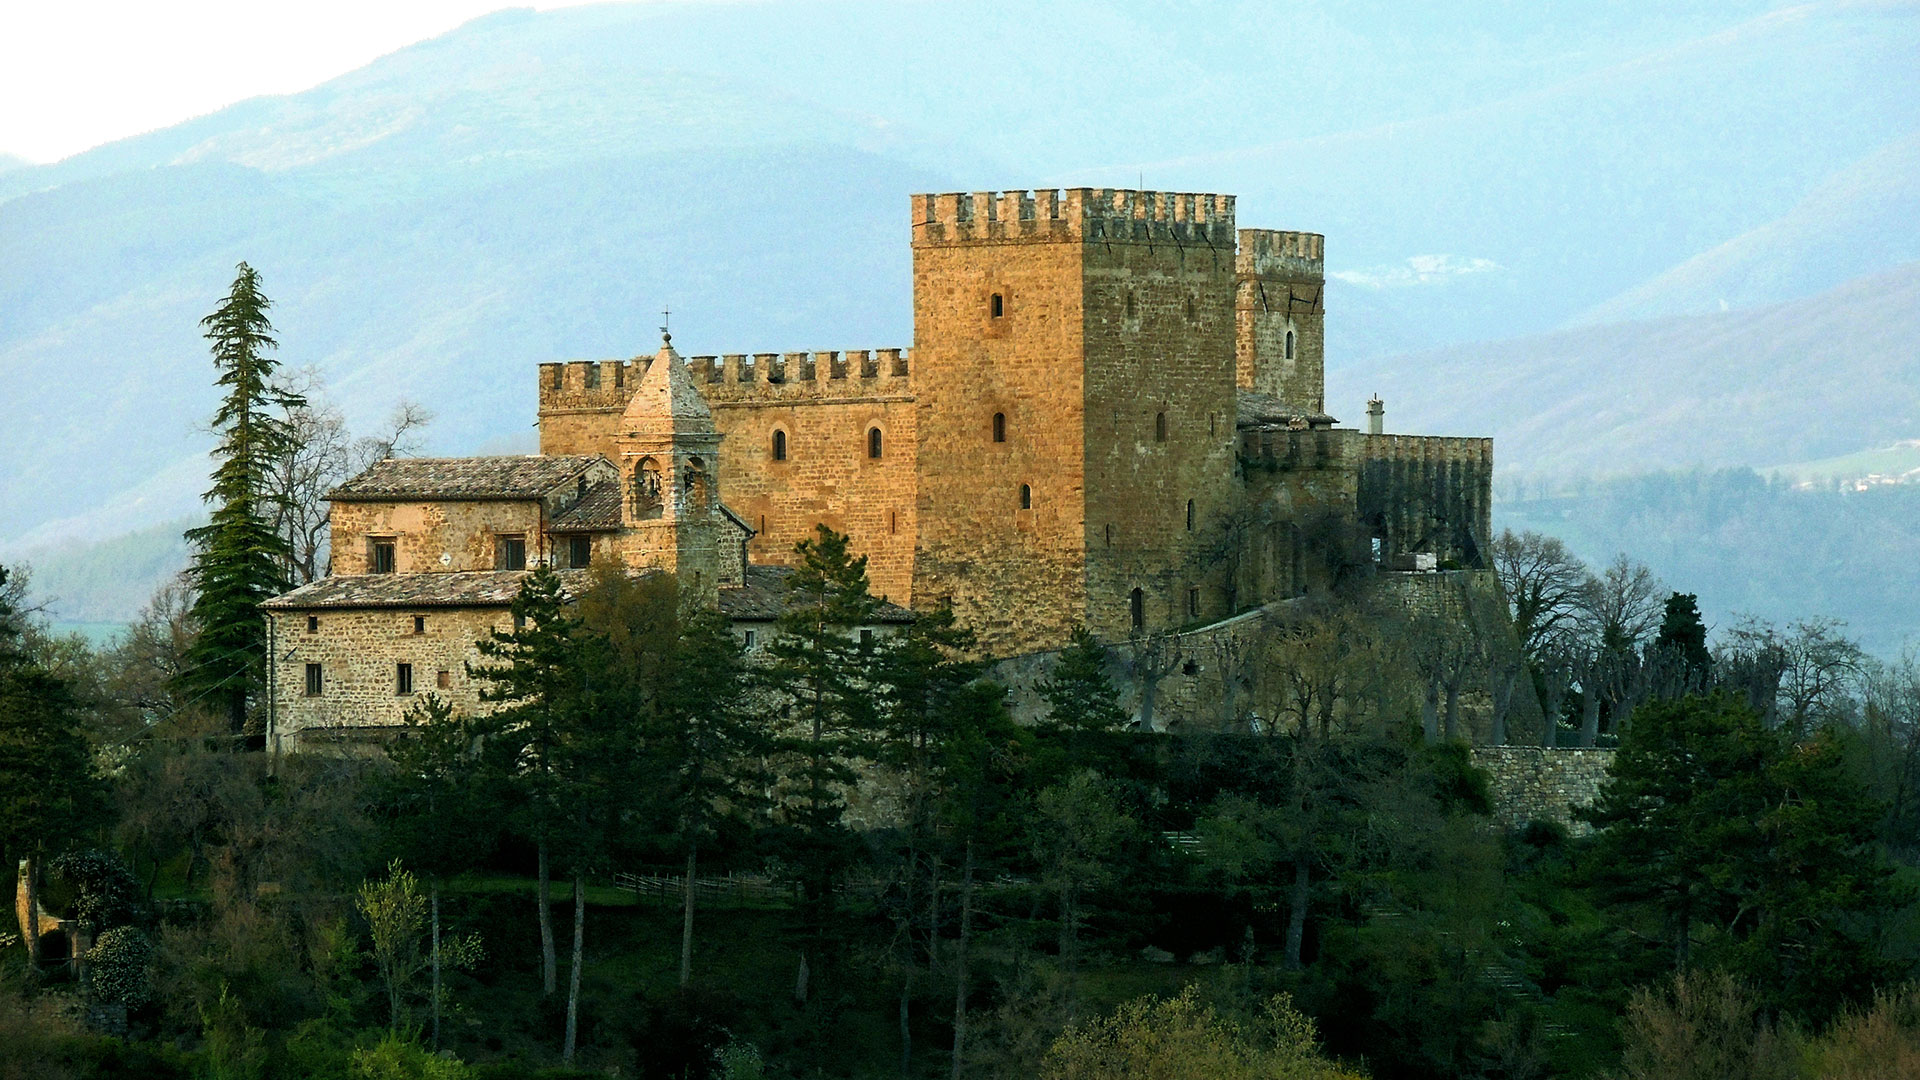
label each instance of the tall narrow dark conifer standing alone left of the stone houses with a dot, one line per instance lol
(239, 556)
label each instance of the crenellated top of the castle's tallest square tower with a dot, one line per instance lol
(1074, 216)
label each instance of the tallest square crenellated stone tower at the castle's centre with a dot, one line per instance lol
(1076, 410)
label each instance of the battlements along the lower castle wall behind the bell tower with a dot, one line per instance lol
(734, 378)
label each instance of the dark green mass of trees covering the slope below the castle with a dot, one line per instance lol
(850, 862)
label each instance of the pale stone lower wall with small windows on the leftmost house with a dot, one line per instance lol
(360, 652)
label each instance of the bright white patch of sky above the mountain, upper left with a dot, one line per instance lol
(76, 74)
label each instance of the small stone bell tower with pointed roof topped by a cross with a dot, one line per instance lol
(669, 456)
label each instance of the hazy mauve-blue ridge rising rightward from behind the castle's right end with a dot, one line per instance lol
(1773, 385)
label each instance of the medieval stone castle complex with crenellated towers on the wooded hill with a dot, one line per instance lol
(1113, 414)
